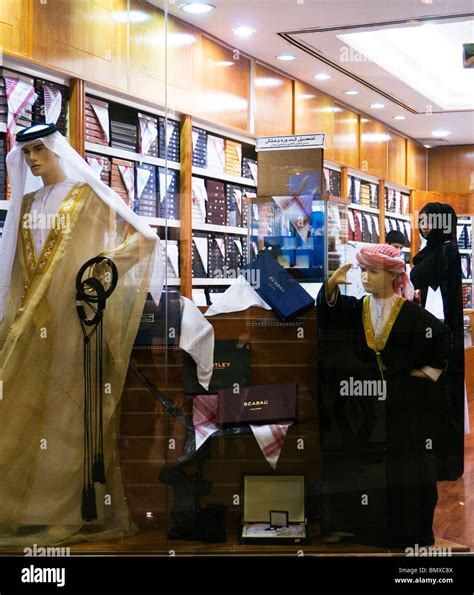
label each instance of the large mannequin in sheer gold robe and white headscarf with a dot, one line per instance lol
(50, 234)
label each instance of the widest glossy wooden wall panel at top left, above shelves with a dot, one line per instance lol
(85, 39)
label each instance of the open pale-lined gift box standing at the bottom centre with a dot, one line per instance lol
(265, 495)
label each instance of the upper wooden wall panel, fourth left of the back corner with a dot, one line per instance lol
(346, 136)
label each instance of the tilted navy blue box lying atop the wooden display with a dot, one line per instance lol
(277, 287)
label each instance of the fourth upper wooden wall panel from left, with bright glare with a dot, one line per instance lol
(224, 95)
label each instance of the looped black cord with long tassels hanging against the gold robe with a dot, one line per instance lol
(92, 294)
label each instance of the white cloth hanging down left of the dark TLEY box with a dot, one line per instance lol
(197, 339)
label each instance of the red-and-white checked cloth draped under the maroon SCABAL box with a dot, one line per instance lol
(270, 438)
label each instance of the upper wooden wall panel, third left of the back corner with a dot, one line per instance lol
(373, 147)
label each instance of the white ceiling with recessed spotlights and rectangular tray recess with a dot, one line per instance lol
(311, 30)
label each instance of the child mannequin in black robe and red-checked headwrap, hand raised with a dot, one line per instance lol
(380, 366)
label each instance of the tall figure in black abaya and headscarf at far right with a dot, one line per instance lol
(438, 265)
